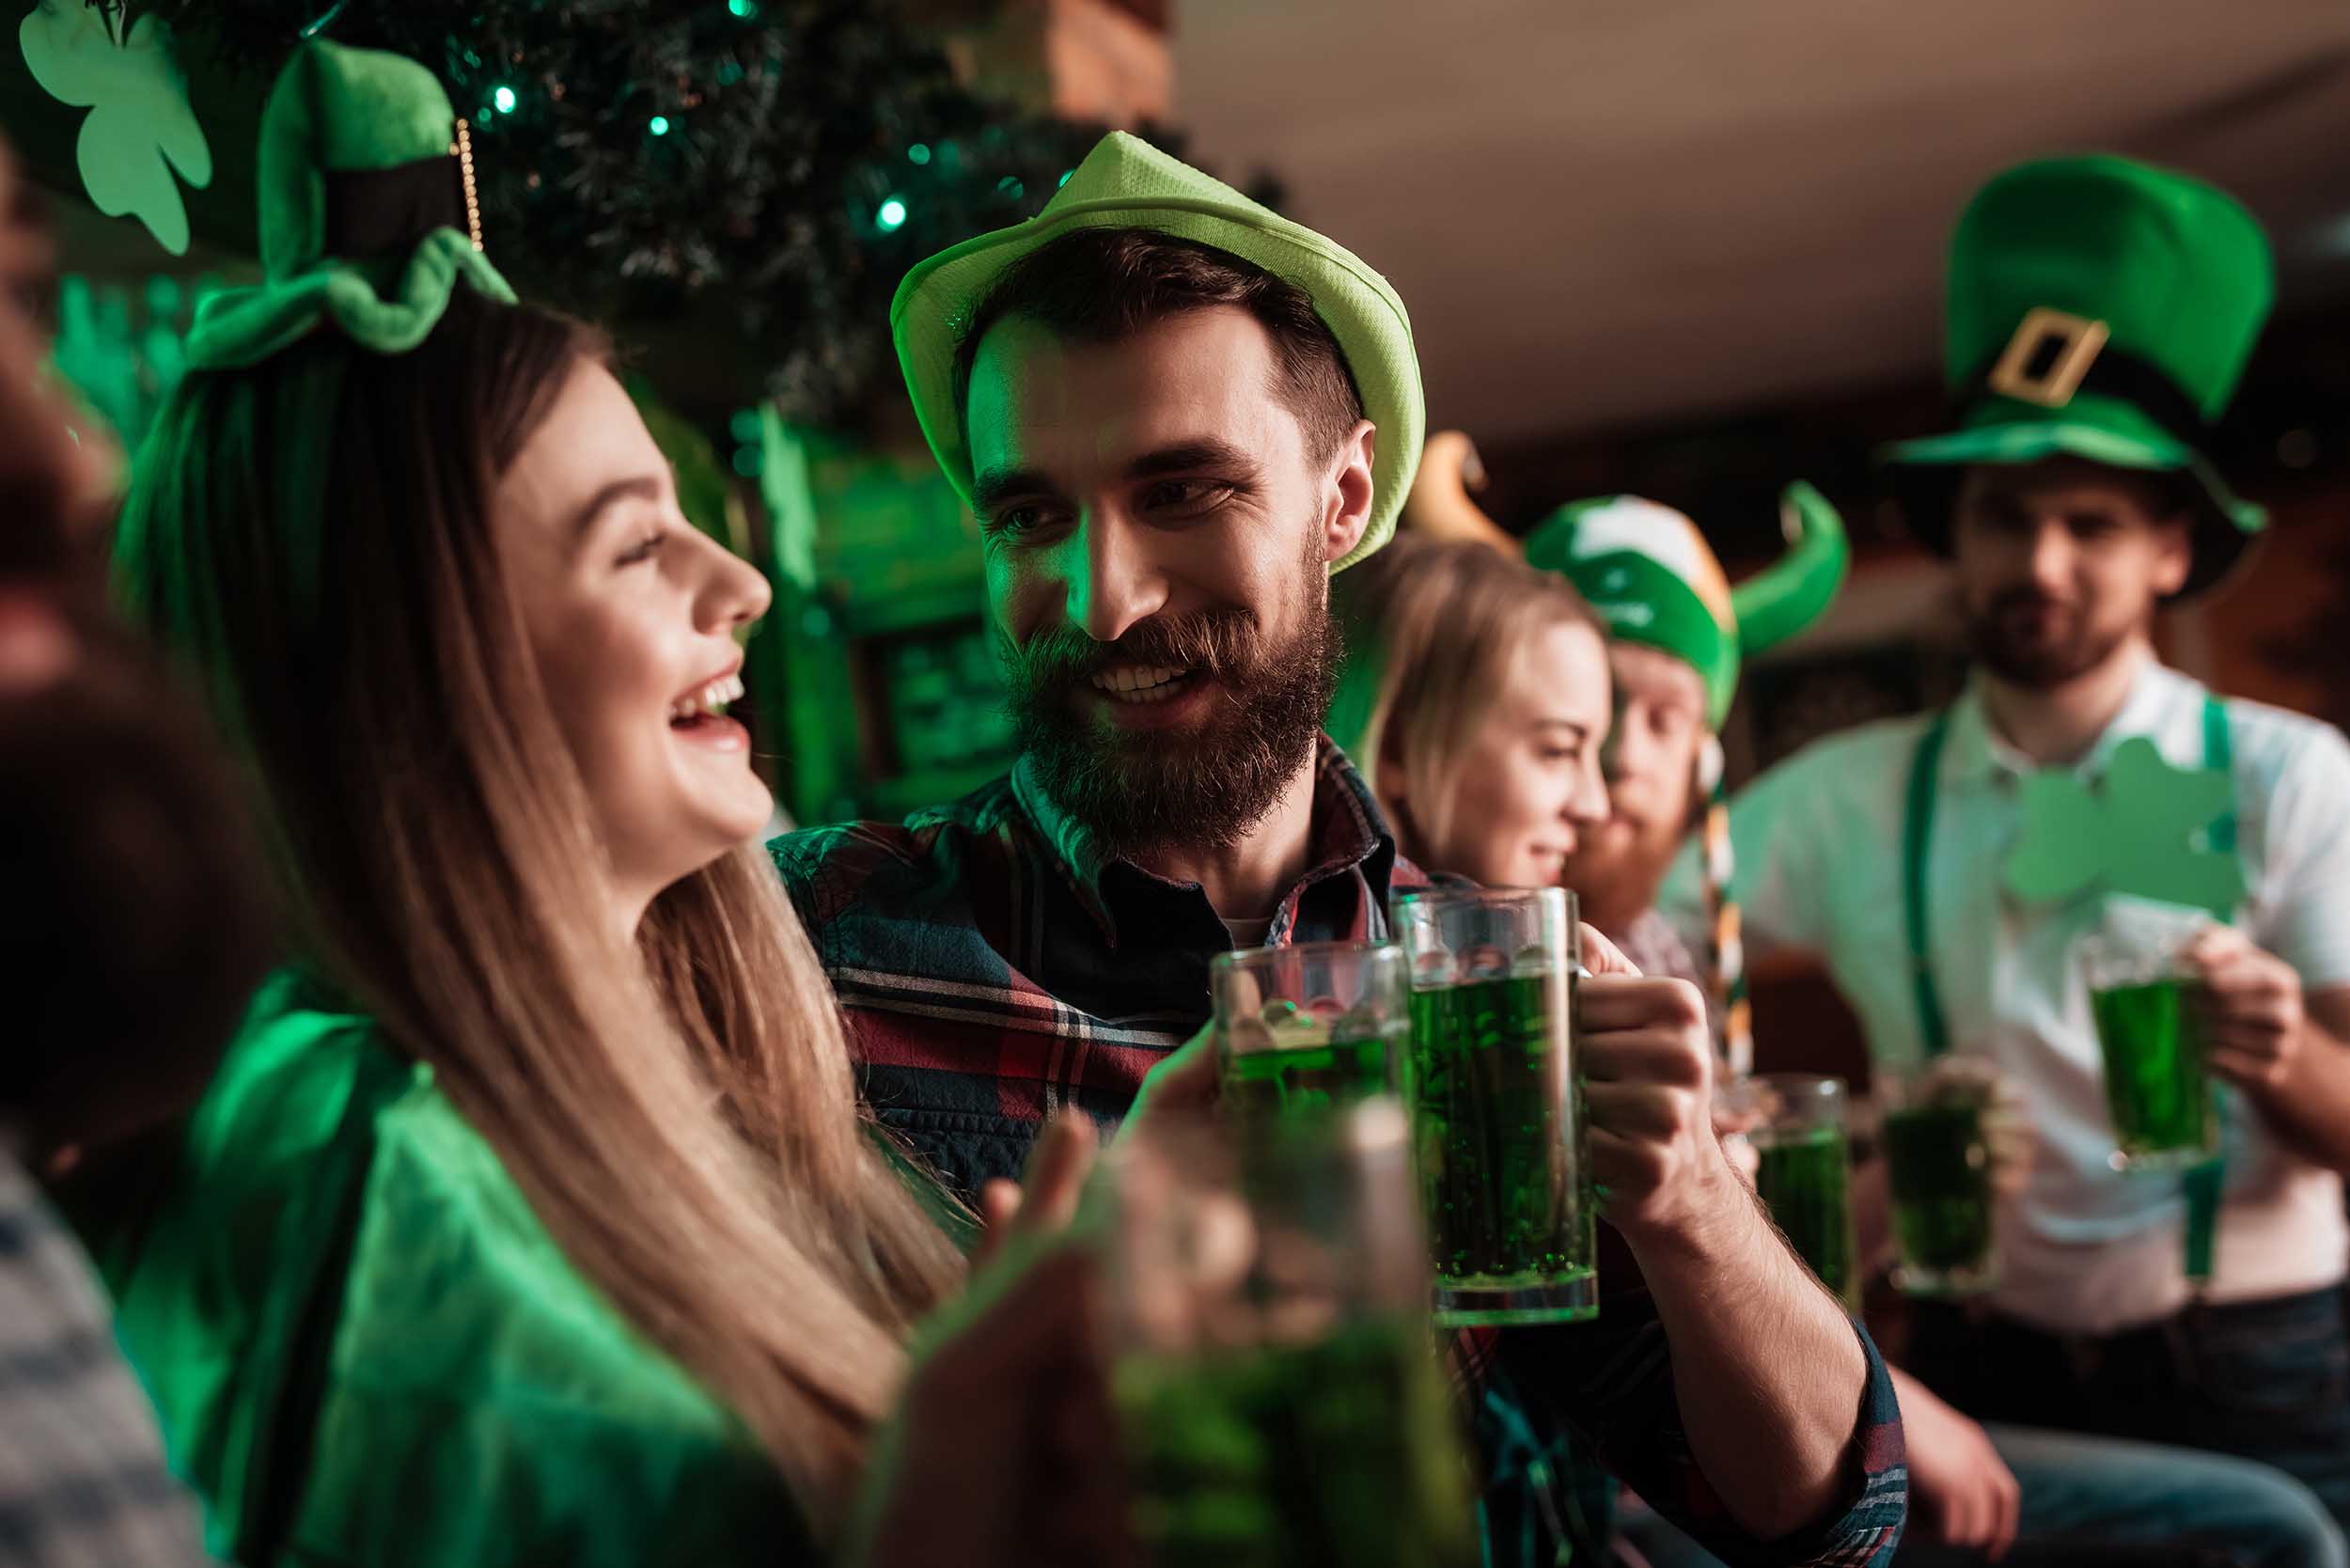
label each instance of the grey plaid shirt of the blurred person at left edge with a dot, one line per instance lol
(83, 1480)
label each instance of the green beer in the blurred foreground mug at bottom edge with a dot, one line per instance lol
(1336, 1454)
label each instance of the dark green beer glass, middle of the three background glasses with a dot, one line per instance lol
(1938, 1162)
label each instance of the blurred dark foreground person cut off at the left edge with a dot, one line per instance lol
(130, 934)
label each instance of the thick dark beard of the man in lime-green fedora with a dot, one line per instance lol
(1207, 786)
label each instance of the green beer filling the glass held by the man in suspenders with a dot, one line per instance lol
(2156, 1085)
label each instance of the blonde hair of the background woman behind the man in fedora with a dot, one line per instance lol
(1432, 634)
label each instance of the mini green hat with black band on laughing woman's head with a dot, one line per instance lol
(368, 213)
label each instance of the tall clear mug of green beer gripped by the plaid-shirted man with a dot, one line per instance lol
(1498, 1123)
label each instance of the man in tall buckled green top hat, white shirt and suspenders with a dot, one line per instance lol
(1956, 866)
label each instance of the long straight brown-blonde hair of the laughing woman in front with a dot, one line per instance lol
(314, 537)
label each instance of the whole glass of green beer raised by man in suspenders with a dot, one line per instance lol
(2142, 993)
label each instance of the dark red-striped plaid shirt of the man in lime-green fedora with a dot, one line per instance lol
(995, 965)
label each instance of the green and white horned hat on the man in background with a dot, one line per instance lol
(1656, 582)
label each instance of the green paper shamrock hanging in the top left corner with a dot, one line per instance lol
(140, 126)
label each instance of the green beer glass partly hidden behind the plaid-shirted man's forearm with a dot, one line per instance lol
(1804, 1170)
